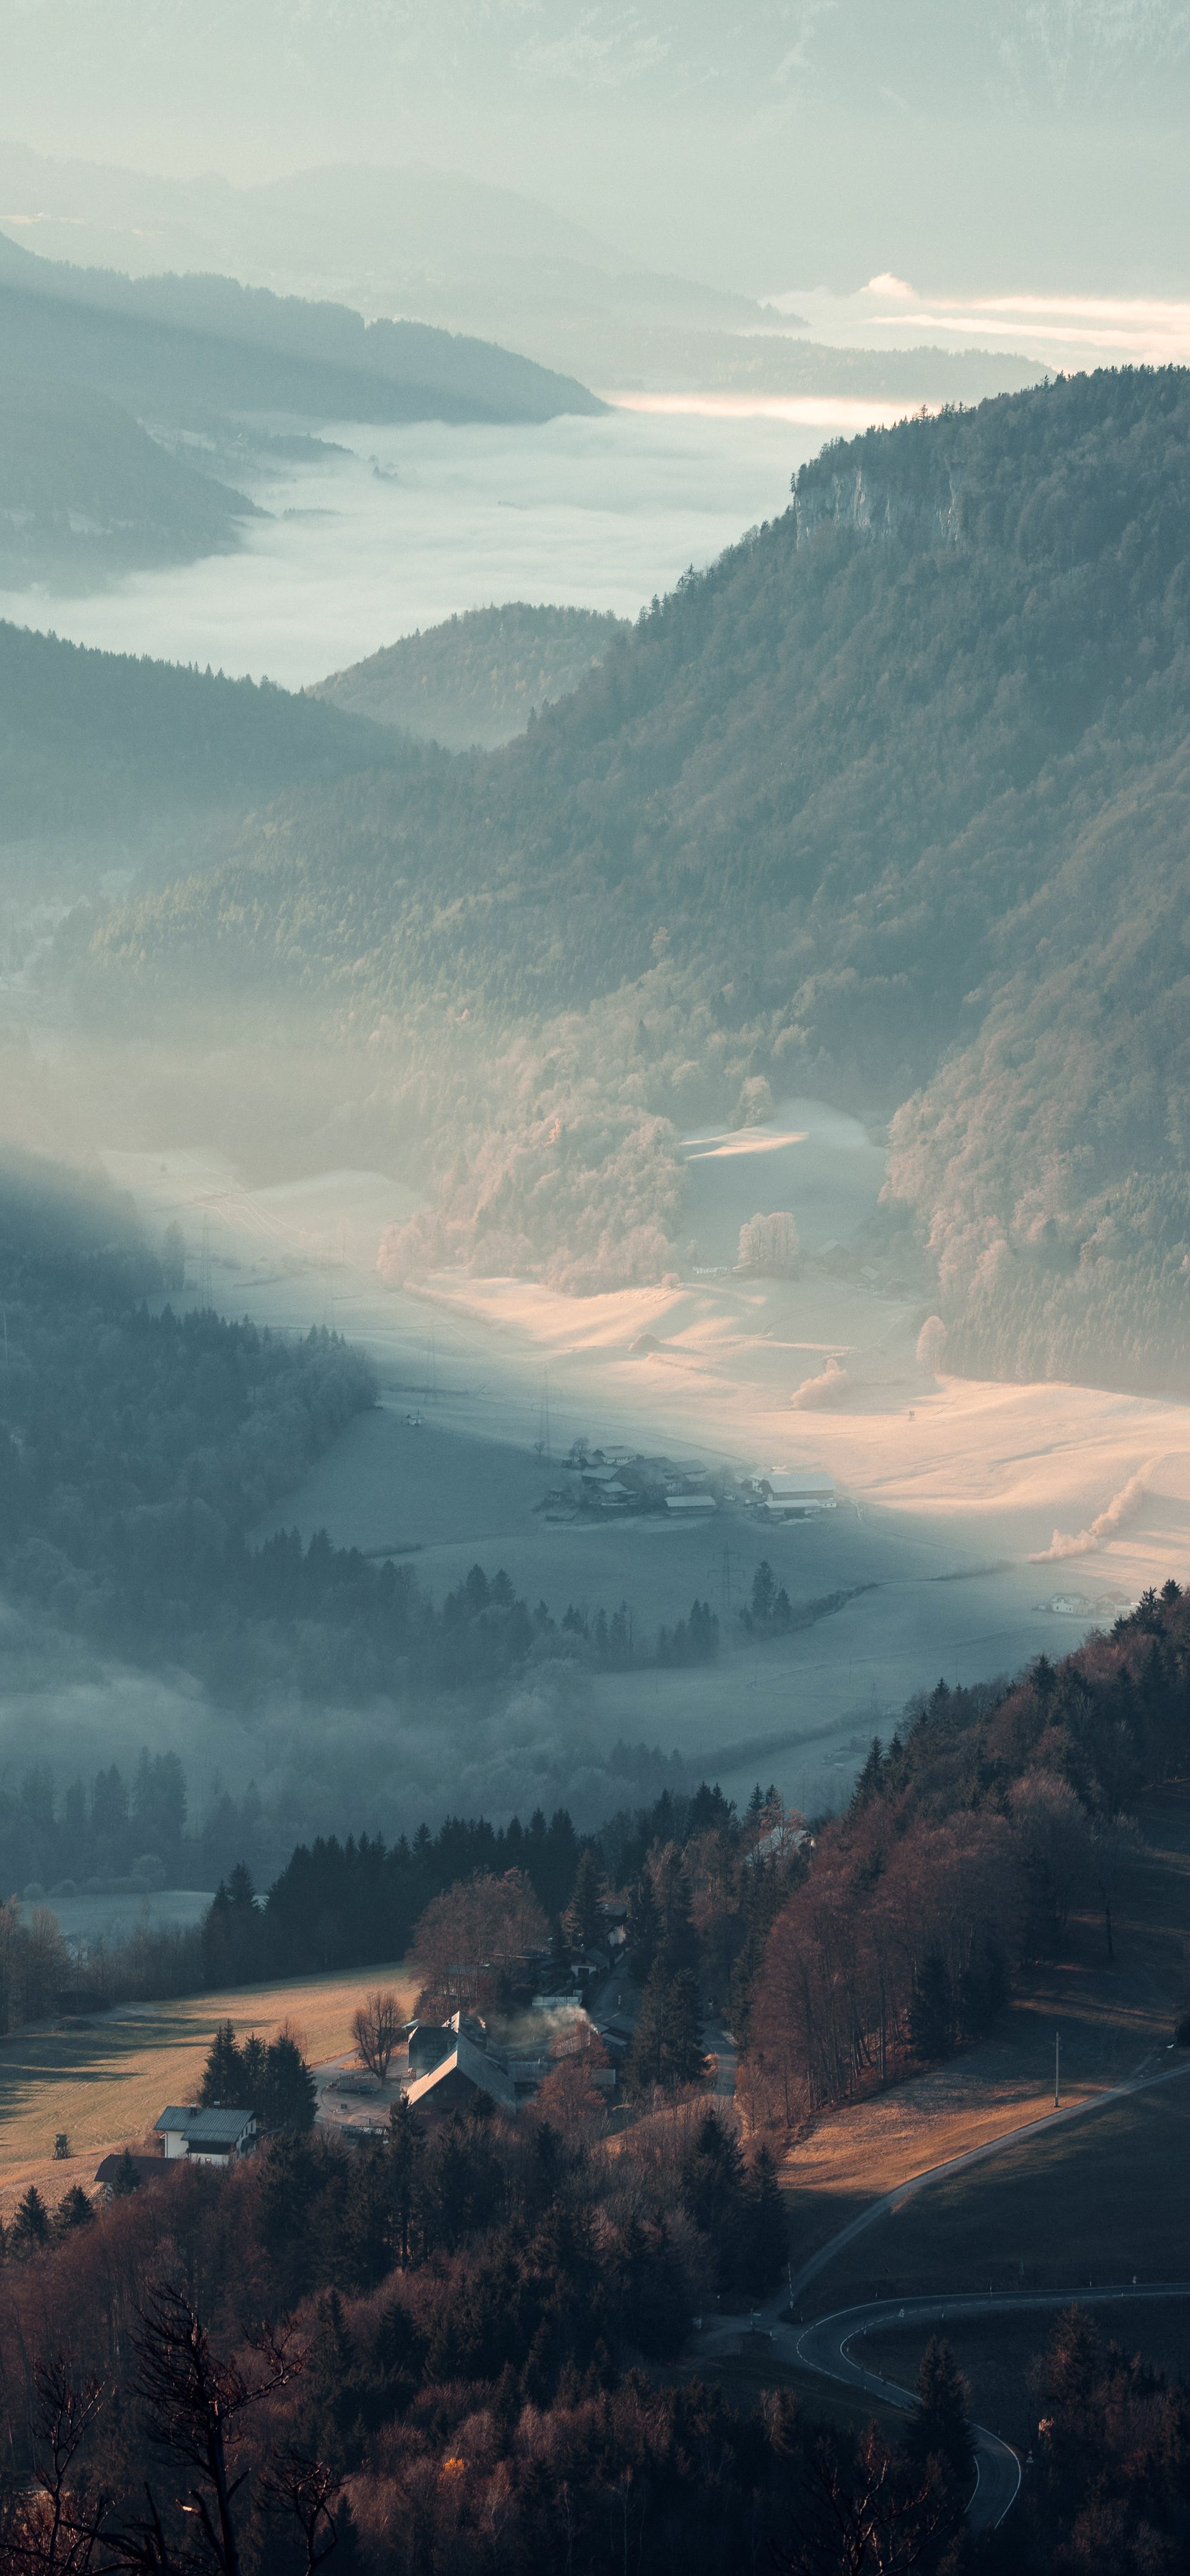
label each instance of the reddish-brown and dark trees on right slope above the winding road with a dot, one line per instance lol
(967, 1843)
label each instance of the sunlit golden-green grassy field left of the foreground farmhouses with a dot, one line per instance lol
(107, 2080)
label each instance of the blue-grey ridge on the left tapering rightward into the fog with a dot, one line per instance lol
(94, 362)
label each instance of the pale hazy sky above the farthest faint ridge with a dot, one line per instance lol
(988, 146)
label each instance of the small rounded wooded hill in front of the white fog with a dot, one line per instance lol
(475, 679)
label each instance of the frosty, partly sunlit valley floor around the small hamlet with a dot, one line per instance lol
(965, 1508)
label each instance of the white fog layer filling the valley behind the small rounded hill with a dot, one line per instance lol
(398, 529)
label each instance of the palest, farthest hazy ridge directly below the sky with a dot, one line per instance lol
(470, 259)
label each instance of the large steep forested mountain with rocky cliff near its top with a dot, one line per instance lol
(905, 787)
